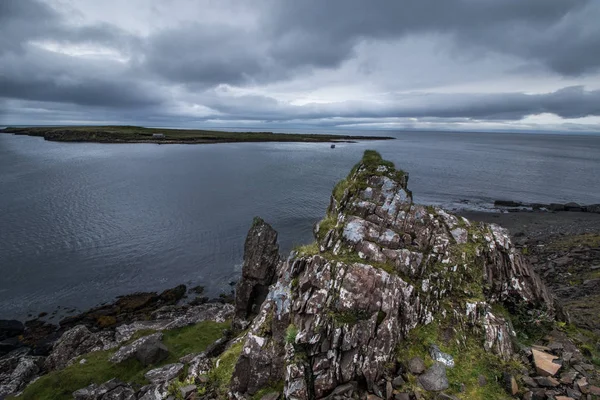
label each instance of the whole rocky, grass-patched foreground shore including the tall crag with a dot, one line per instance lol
(393, 300)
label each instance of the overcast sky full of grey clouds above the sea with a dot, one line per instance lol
(380, 64)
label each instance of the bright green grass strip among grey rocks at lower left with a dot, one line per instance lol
(60, 385)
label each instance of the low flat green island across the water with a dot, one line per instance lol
(137, 134)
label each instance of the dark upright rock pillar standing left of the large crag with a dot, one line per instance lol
(261, 257)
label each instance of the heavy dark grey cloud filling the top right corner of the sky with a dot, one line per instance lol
(564, 35)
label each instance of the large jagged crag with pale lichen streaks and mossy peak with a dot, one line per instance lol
(381, 267)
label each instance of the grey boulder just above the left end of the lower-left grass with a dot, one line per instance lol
(73, 343)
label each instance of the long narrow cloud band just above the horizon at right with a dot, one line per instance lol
(570, 102)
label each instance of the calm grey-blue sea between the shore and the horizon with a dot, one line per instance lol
(81, 223)
